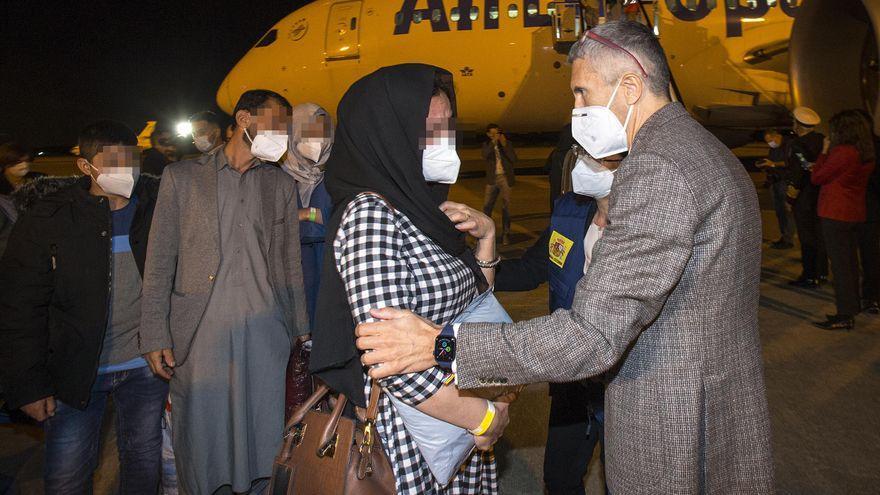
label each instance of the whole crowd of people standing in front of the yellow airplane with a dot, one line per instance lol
(206, 296)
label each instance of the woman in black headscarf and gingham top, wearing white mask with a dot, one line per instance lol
(392, 245)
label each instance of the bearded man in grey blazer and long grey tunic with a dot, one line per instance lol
(223, 299)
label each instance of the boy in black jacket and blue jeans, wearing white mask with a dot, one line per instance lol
(70, 285)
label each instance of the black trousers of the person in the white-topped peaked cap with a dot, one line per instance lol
(806, 217)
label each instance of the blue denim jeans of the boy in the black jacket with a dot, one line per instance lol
(73, 436)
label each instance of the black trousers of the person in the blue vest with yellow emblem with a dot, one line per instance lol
(573, 433)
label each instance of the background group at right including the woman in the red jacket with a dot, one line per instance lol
(832, 188)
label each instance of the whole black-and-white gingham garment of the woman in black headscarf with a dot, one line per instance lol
(385, 261)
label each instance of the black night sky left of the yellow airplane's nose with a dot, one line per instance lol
(64, 64)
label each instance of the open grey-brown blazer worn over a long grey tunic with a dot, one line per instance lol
(184, 253)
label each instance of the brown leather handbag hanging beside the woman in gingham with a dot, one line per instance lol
(328, 454)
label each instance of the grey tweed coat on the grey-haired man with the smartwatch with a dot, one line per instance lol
(669, 309)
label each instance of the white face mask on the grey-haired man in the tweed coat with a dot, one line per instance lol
(598, 130)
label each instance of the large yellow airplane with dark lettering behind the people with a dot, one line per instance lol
(729, 58)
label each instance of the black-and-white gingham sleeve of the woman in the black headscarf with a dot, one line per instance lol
(369, 249)
